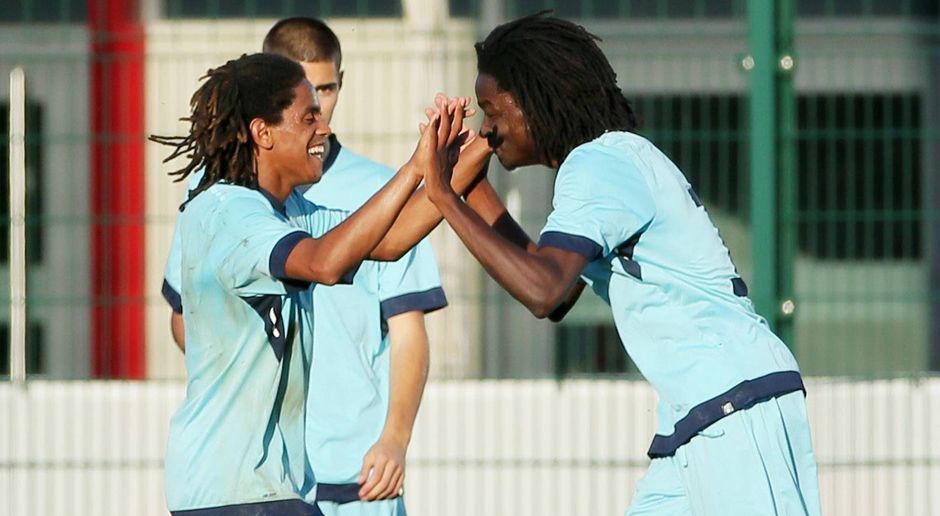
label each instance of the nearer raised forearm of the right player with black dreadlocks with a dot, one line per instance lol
(534, 282)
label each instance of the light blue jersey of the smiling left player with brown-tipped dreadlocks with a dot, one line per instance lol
(238, 436)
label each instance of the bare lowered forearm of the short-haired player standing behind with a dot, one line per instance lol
(410, 359)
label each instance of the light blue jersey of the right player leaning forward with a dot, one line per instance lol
(680, 308)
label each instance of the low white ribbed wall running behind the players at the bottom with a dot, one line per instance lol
(480, 447)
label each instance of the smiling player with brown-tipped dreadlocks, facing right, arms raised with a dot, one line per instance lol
(251, 246)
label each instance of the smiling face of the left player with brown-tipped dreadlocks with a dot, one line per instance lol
(299, 140)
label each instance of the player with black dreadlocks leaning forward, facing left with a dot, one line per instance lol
(732, 437)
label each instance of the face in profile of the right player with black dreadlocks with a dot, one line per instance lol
(504, 125)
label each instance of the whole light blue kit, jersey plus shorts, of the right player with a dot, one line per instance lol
(732, 434)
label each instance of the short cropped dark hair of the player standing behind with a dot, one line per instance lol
(303, 39)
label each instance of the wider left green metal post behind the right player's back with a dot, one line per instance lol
(762, 66)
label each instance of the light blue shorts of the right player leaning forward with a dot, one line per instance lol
(753, 462)
